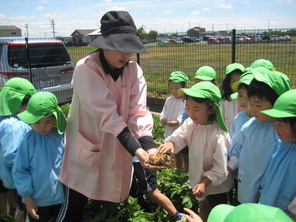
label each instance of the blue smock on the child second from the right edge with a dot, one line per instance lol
(254, 148)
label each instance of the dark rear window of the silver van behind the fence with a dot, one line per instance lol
(41, 55)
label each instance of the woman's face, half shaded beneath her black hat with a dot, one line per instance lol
(117, 59)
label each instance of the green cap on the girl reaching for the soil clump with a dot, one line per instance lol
(207, 90)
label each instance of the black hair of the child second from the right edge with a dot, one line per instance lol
(262, 91)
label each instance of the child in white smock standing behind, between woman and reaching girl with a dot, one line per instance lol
(171, 114)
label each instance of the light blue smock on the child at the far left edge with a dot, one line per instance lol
(12, 131)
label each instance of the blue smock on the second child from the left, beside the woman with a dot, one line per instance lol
(37, 168)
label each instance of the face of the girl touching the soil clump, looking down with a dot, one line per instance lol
(198, 112)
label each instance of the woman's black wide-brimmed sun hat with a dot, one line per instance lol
(118, 32)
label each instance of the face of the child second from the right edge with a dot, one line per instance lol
(258, 105)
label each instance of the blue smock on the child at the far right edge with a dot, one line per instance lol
(279, 181)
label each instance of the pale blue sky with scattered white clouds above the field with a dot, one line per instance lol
(43, 17)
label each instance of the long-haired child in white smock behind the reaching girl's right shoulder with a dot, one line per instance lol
(229, 107)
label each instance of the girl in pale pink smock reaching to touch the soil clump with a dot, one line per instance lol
(206, 135)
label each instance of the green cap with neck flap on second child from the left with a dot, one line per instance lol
(40, 105)
